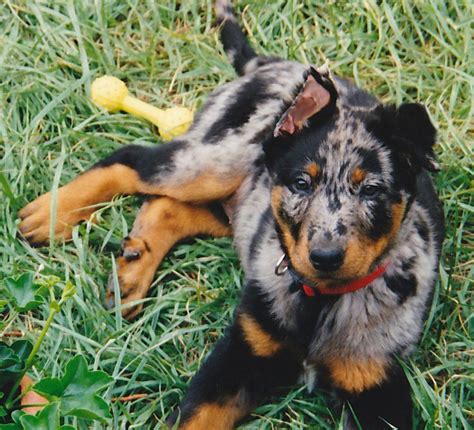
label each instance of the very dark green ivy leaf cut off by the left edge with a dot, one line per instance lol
(12, 360)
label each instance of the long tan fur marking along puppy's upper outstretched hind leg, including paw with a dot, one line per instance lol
(76, 200)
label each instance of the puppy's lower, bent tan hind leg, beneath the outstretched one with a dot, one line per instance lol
(160, 223)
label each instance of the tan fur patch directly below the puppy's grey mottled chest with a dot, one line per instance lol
(356, 376)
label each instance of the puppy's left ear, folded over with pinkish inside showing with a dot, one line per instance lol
(318, 93)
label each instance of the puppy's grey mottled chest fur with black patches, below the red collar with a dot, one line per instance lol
(382, 319)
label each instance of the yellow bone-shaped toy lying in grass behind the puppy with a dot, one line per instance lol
(112, 94)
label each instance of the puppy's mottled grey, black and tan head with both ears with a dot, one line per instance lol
(343, 170)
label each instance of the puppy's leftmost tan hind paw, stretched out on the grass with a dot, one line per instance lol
(36, 218)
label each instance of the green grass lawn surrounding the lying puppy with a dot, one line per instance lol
(168, 52)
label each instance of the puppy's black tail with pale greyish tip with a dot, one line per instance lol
(235, 43)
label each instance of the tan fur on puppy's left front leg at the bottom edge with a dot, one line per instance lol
(216, 416)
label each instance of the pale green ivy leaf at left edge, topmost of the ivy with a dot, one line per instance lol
(24, 293)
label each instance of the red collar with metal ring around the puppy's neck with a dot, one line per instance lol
(350, 287)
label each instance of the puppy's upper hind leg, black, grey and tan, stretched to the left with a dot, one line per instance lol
(177, 169)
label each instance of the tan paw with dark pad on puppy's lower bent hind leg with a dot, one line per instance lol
(135, 270)
